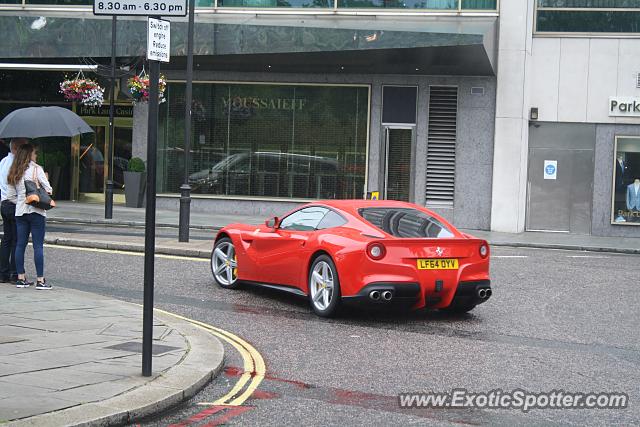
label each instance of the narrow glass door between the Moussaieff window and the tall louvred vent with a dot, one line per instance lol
(398, 174)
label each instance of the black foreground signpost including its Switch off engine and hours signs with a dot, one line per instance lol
(158, 47)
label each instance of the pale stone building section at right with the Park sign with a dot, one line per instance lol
(566, 124)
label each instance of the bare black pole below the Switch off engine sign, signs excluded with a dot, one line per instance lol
(150, 219)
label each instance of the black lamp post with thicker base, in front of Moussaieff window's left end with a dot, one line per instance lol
(185, 188)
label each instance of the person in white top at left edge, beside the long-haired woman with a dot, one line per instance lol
(8, 211)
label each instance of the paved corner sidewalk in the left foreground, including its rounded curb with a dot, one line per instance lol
(69, 357)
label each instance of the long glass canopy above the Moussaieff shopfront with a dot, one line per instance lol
(300, 44)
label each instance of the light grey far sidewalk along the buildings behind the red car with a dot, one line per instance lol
(83, 213)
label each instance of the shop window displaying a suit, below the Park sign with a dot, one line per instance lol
(626, 185)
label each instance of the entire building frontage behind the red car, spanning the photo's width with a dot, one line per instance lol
(501, 115)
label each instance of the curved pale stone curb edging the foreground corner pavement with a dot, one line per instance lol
(200, 365)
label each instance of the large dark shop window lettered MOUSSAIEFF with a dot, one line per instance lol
(267, 140)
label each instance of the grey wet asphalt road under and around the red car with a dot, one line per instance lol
(558, 320)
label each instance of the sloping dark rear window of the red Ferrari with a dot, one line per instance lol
(405, 222)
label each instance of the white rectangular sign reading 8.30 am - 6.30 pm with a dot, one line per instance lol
(140, 7)
